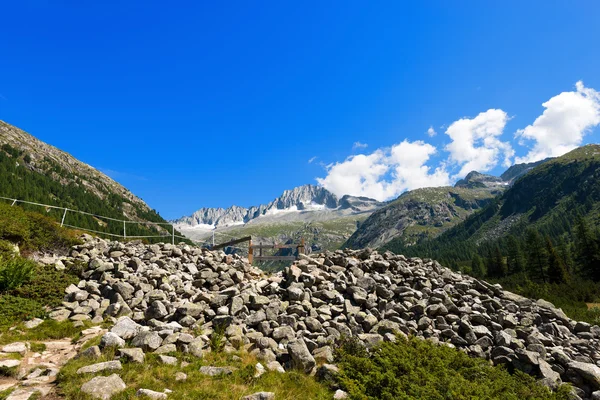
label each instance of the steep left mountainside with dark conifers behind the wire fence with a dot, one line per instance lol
(35, 171)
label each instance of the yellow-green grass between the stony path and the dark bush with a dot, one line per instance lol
(155, 376)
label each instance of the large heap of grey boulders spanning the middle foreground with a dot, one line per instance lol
(163, 298)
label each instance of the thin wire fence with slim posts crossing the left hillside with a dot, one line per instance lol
(124, 223)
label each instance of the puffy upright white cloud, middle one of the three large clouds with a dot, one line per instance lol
(475, 142)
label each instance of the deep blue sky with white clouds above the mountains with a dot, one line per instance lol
(205, 104)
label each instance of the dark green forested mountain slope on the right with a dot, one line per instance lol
(549, 198)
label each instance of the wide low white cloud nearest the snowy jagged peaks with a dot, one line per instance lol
(385, 173)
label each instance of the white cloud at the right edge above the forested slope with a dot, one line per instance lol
(567, 118)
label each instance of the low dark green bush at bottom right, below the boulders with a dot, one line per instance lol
(415, 368)
